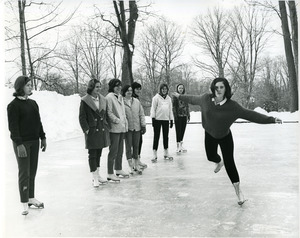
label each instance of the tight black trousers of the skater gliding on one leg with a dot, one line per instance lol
(226, 144)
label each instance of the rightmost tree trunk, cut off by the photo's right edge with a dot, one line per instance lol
(294, 26)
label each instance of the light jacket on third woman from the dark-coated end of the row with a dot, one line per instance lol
(134, 114)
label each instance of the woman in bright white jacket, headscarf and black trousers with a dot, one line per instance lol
(162, 116)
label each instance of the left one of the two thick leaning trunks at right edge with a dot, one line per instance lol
(289, 57)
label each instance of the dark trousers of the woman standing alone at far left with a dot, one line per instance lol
(27, 169)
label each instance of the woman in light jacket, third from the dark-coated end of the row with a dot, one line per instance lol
(136, 126)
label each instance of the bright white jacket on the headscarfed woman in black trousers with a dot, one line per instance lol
(161, 108)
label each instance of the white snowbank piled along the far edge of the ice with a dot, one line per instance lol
(60, 114)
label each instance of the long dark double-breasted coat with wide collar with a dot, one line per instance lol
(94, 120)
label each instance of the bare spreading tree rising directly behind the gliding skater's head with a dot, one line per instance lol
(213, 34)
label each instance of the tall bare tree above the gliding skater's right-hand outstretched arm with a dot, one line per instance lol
(249, 27)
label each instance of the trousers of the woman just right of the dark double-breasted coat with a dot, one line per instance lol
(114, 158)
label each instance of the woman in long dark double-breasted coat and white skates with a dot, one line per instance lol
(92, 118)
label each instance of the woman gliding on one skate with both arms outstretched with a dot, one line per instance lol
(218, 114)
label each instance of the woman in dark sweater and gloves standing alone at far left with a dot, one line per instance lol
(26, 129)
